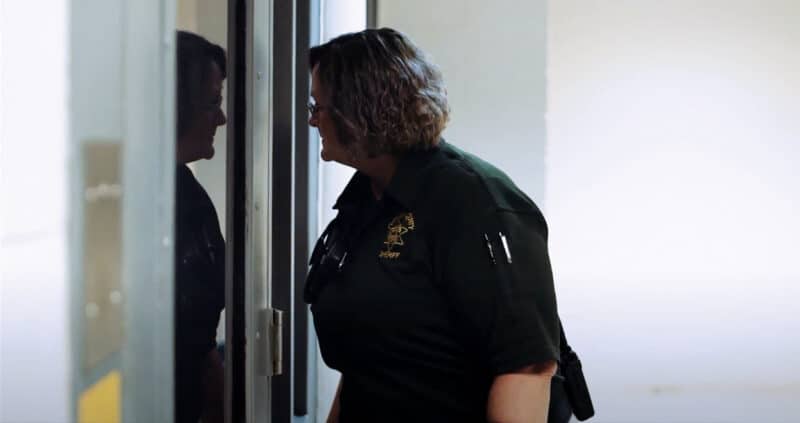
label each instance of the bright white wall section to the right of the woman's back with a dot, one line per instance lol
(672, 196)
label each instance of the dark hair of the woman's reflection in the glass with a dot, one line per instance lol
(194, 56)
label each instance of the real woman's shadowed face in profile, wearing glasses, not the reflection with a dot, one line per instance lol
(322, 119)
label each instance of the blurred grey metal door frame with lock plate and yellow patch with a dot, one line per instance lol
(141, 368)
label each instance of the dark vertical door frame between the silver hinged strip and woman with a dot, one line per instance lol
(294, 206)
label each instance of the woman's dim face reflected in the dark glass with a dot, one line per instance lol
(198, 140)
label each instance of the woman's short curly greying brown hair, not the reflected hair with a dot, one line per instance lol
(385, 94)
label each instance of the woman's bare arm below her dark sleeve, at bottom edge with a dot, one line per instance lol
(521, 396)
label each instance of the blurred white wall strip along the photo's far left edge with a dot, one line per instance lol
(34, 332)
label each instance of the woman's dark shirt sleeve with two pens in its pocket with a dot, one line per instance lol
(502, 292)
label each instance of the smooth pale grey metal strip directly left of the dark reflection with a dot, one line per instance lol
(149, 202)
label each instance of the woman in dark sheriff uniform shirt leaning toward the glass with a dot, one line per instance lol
(431, 290)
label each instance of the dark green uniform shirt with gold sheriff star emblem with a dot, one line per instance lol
(429, 303)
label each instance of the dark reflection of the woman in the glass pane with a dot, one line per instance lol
(199, 246)
